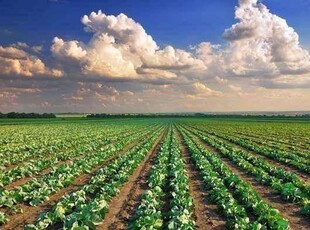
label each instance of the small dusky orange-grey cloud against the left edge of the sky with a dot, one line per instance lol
(15, 61)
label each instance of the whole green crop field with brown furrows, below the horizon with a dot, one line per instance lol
(155, 173)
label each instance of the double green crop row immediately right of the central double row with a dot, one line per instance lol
(233, 197)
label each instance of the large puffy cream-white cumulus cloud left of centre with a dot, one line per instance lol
(120, 47)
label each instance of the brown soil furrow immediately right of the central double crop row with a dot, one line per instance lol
(206, 216)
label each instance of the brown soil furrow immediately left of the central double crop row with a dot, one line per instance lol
(122, 207)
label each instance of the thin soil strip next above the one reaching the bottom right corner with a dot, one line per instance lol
(301, 175)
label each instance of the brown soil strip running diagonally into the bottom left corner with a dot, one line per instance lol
(30, 213)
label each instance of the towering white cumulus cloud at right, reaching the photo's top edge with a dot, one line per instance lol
(262, 43)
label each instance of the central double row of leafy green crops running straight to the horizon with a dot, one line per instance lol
(168, 180)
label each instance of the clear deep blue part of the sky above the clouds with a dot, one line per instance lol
(179, 23)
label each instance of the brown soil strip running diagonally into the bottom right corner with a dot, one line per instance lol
(288, 210)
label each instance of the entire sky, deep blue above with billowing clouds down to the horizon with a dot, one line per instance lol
(118, 56)
